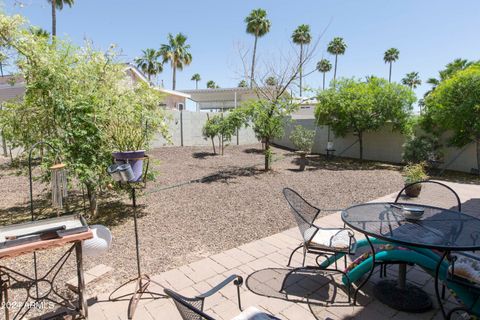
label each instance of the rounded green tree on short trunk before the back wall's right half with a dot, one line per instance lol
(359, 107)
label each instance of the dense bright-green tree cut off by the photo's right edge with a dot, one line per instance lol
(454, 106)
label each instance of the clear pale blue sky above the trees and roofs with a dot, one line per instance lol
(428, 33)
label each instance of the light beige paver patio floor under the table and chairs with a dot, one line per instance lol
(262, 264)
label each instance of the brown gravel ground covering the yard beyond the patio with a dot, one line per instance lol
(239, 204)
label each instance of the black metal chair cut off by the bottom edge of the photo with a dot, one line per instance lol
(192, 308)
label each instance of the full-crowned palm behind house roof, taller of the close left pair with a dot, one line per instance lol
(177, 52)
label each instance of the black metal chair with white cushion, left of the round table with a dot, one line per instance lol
(322, 242)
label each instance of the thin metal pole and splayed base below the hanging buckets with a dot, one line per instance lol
(143, 281)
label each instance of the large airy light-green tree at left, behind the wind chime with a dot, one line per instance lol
(74, 98)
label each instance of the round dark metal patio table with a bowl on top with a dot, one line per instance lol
(437, 229)
